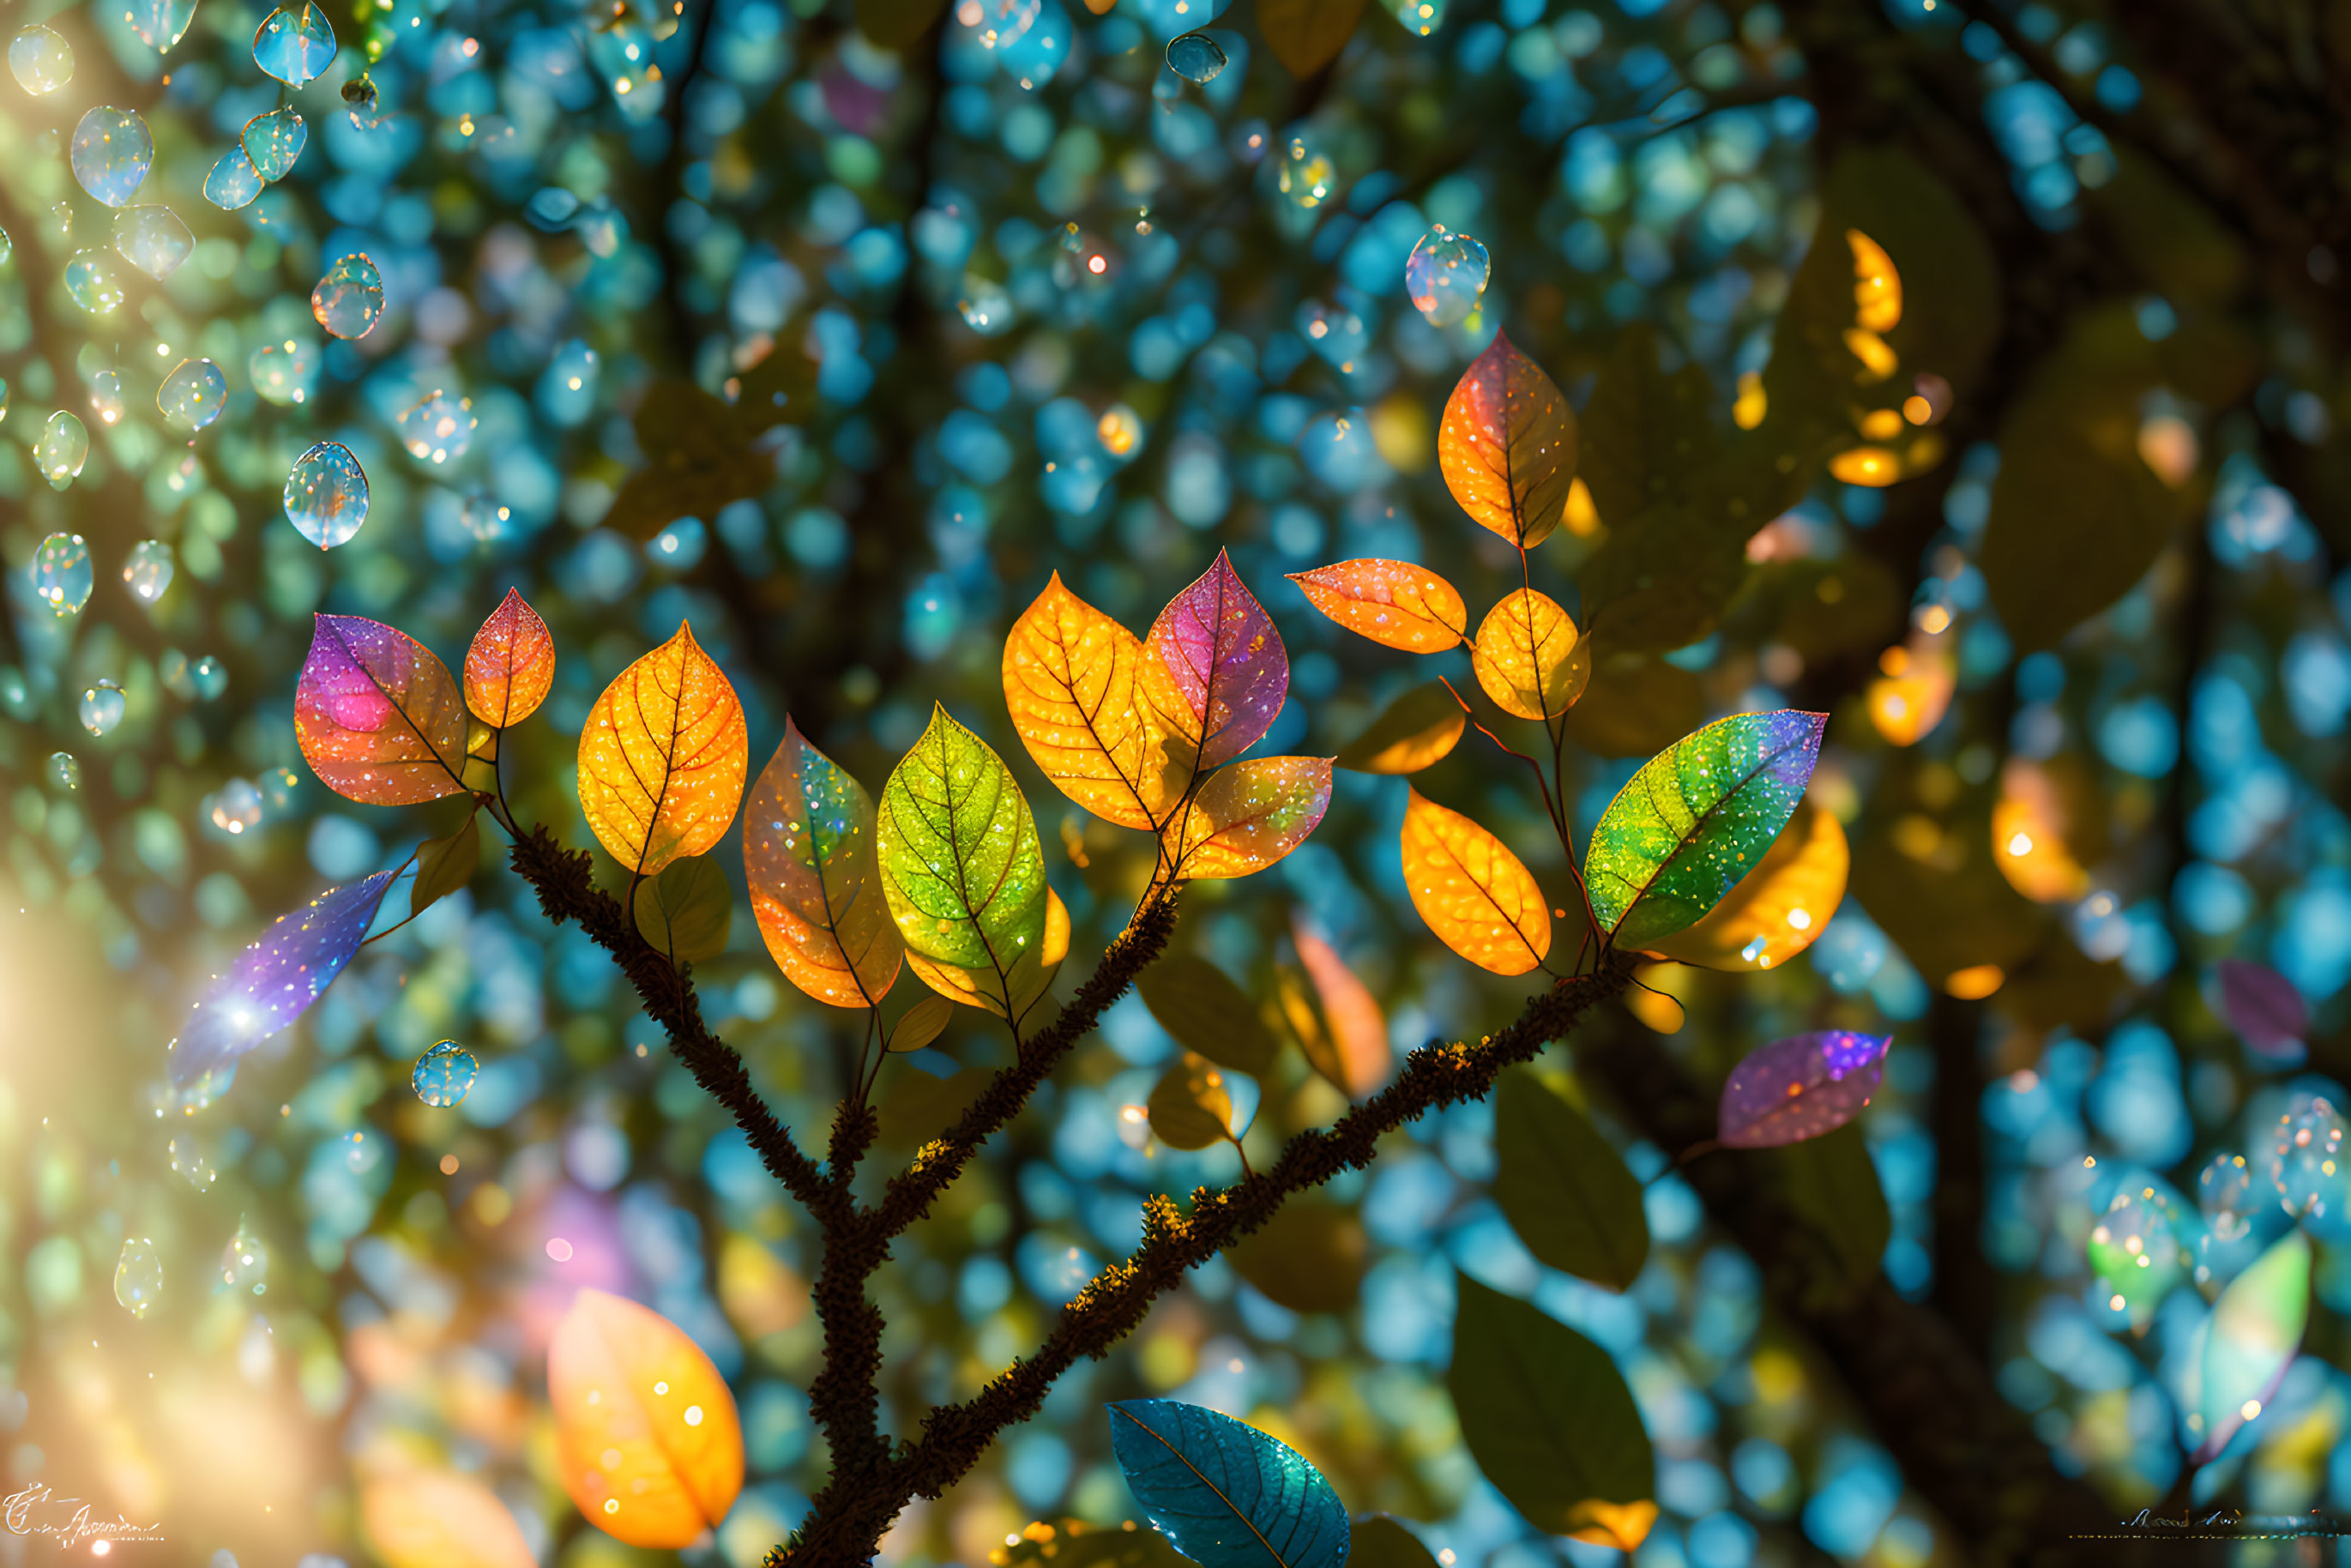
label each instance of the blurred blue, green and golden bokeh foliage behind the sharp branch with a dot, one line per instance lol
(2077, 612)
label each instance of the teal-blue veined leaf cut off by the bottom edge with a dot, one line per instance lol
(1224, 1492)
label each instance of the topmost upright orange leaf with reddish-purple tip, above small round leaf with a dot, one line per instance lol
(1508, 445)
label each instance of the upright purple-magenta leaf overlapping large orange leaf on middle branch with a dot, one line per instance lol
(1214, 669)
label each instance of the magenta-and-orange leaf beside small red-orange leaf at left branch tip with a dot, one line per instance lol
(377, 716)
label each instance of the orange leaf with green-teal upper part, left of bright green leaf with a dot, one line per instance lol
(817, 880)
